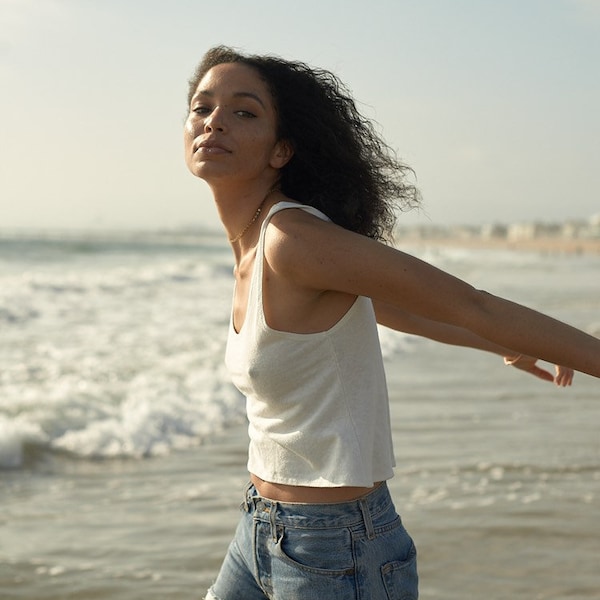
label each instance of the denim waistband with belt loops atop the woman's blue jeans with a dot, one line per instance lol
(363, 511)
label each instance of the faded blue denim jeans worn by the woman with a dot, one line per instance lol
(357, 550)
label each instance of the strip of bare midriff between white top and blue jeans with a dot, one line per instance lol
(309, 495)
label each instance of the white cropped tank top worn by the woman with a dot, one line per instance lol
(317, 404)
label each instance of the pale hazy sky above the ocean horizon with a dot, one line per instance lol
(494, 103)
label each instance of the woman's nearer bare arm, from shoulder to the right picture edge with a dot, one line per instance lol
(322, 256)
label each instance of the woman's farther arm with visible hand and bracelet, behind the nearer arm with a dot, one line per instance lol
(400, 320)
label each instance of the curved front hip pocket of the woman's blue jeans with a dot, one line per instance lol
(317, 551)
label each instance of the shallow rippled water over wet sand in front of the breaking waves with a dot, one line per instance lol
(498, 481)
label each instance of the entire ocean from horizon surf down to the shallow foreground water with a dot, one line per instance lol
(122, 442)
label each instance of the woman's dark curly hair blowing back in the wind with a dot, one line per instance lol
(340, 165)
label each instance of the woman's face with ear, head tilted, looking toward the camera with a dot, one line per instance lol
(231, 129)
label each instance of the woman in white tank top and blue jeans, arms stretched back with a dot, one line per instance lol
(305, 190)
